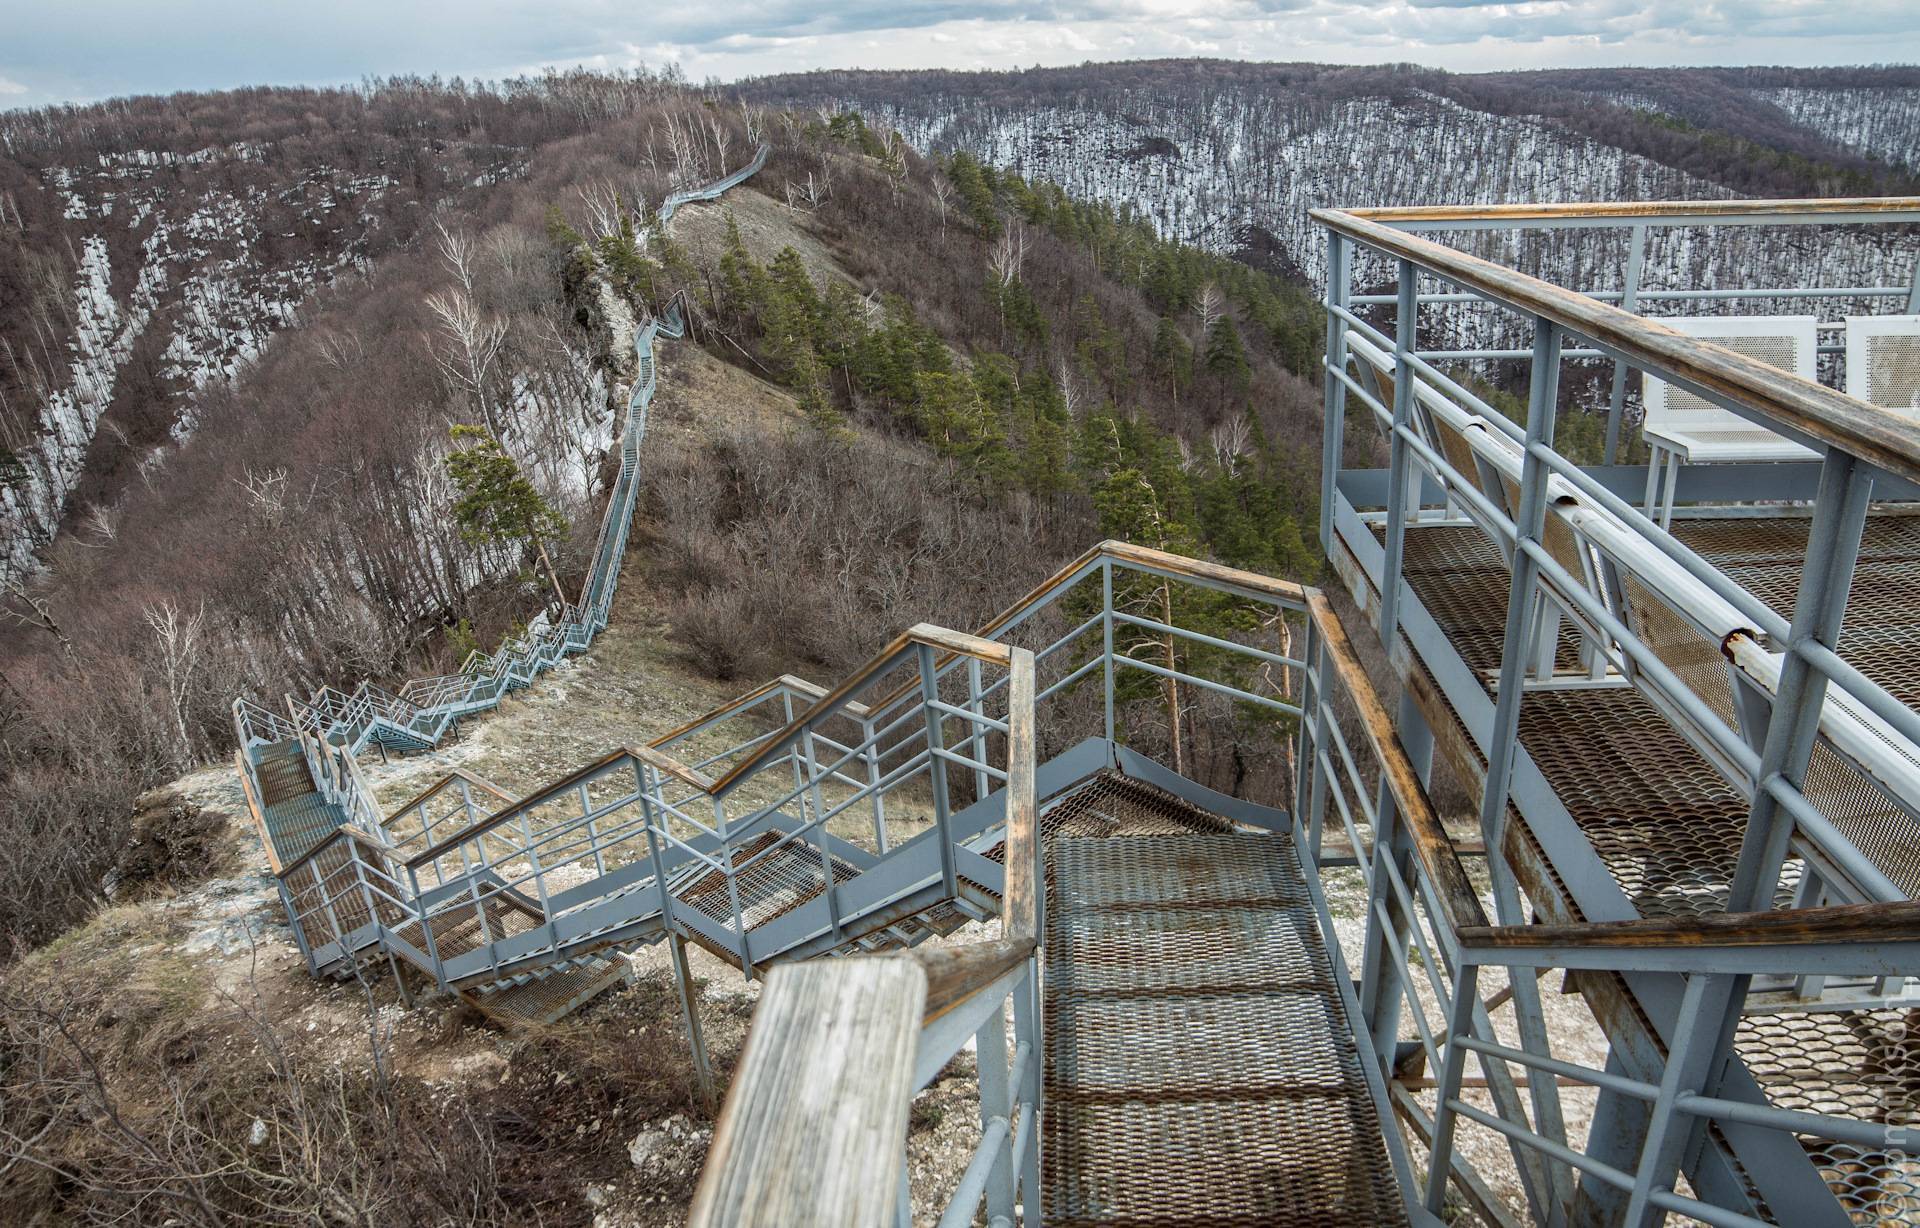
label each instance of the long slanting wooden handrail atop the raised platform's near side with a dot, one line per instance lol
(1875, 435)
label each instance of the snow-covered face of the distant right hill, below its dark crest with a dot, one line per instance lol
(1205, 170)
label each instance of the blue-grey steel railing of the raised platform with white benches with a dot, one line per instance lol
(1764, 696)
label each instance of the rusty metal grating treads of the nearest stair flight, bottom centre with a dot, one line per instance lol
(1259, 1114)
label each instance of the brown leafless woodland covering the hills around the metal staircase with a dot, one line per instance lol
(990, 377)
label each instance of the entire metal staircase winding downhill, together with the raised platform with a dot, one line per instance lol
(1696, 799)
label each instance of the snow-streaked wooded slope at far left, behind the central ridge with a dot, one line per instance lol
(153, 247)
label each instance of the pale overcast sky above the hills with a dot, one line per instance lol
(82, 51)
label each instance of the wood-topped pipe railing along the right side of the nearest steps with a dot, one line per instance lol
(1414, 876)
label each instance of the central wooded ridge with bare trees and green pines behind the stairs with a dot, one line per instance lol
(994, 371)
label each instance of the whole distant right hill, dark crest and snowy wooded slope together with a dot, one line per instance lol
(1232, 156)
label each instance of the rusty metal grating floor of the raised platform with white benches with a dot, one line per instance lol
(1669, 828)
